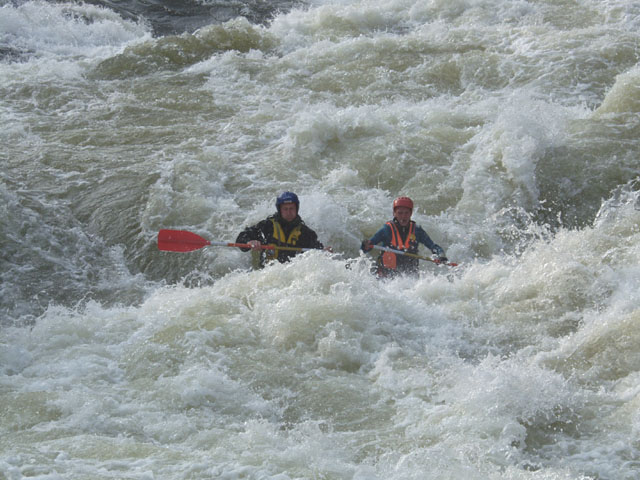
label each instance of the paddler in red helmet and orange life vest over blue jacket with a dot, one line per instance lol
(401, 233)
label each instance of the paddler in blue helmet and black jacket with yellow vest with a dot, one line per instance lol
(284, 228)
